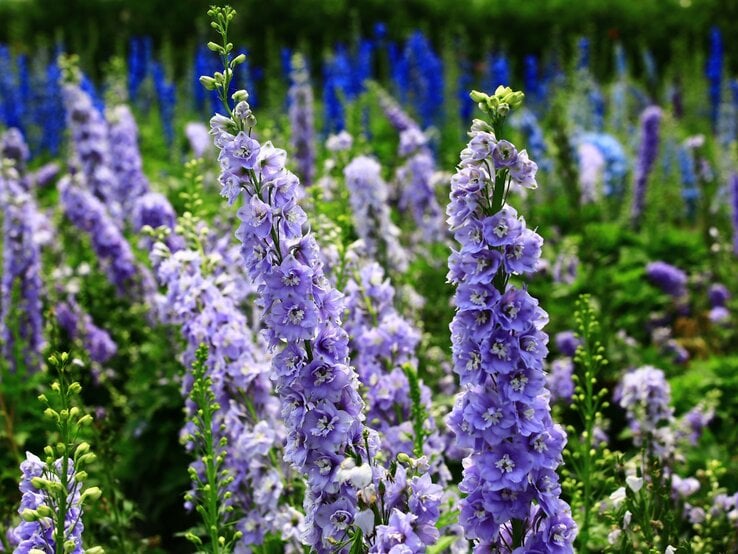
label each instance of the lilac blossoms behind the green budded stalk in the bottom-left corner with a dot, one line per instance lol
(38, 536)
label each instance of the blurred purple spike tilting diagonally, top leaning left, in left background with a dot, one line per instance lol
(88, 214)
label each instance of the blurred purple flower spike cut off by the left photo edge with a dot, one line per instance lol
(21, 269)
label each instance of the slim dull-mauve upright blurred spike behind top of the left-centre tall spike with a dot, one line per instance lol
(302, 121)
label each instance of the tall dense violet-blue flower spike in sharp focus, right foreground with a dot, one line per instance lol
(503, 414)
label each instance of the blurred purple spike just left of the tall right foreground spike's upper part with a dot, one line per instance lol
(416, 176)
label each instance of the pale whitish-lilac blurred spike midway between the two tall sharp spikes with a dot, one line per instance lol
(368, 196)
